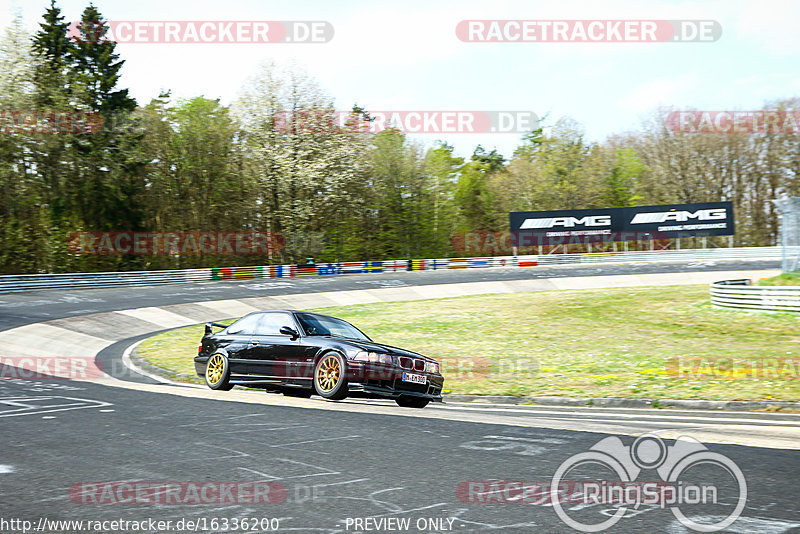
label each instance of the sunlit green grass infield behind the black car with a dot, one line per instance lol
(600, 343)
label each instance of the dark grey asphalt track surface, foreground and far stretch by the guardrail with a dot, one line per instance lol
(336, 462)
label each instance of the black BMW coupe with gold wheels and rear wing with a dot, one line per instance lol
(300, 353)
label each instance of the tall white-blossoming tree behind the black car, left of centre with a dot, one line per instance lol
(309, 172)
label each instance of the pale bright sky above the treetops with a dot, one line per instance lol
(406, 56)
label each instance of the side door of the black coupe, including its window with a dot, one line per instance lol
(272, 353)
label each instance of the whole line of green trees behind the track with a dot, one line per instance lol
(278, 160)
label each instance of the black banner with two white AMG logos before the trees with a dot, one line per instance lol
(531, 228)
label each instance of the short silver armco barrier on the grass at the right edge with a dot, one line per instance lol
(740, 295)
